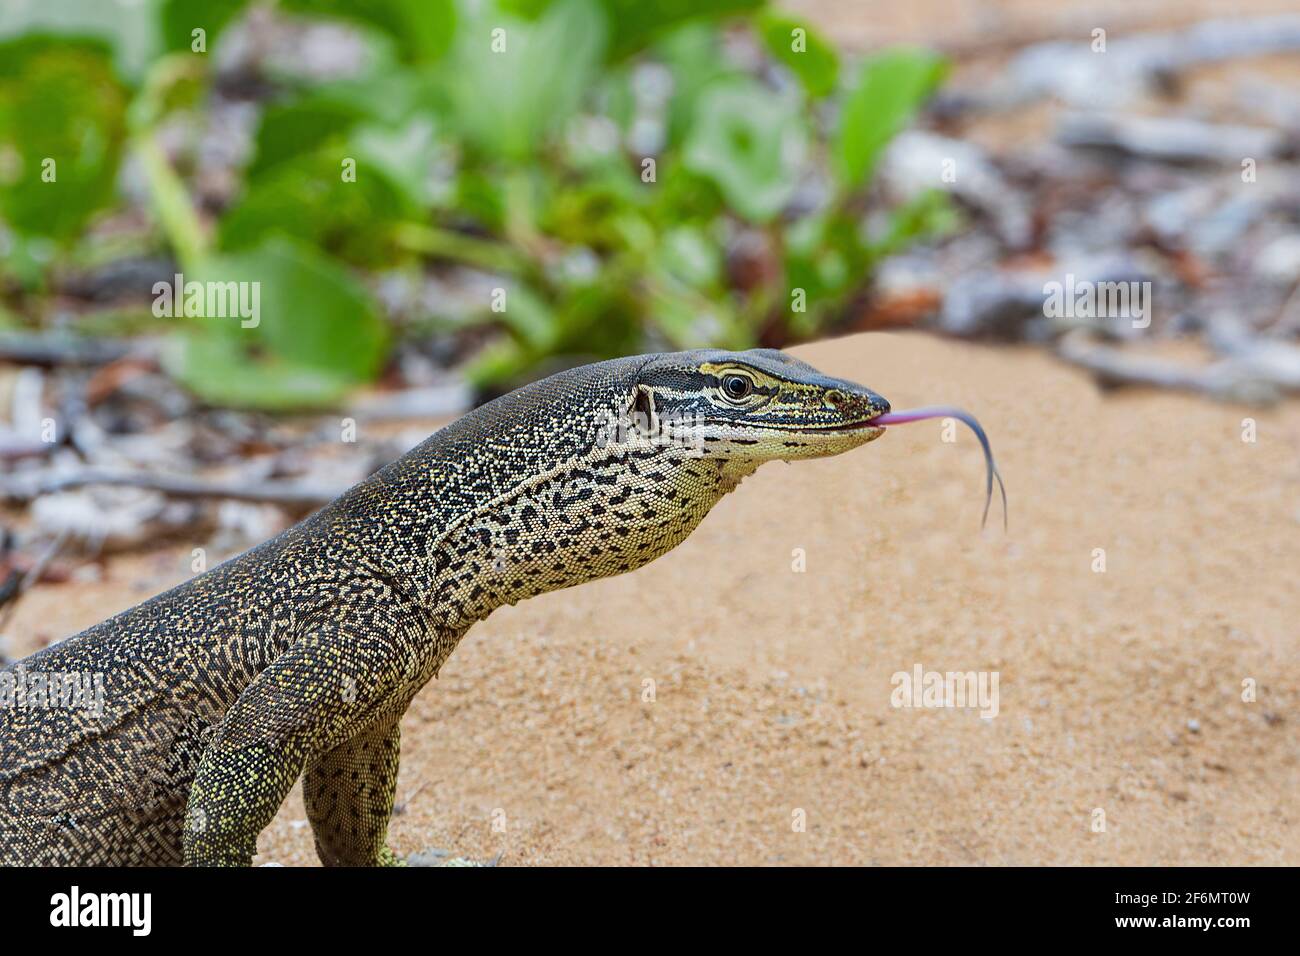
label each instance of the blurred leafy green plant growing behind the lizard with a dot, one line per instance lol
(600, 158)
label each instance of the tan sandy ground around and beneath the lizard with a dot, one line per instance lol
(1120, 691)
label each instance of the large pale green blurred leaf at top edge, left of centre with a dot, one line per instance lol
(513, 83)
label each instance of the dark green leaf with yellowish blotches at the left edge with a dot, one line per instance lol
(63, 123)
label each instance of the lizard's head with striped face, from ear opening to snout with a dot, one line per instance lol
(753, 406)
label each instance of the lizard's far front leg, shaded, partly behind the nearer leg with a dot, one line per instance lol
(349, 795)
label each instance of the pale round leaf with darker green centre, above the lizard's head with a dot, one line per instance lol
(751, 144)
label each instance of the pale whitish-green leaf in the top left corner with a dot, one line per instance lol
(129, 28)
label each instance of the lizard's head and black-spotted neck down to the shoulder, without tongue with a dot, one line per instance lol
(603, 469)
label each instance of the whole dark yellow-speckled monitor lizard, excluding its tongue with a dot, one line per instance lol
(300, 657)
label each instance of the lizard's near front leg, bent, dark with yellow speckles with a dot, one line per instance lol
(323, 691)
